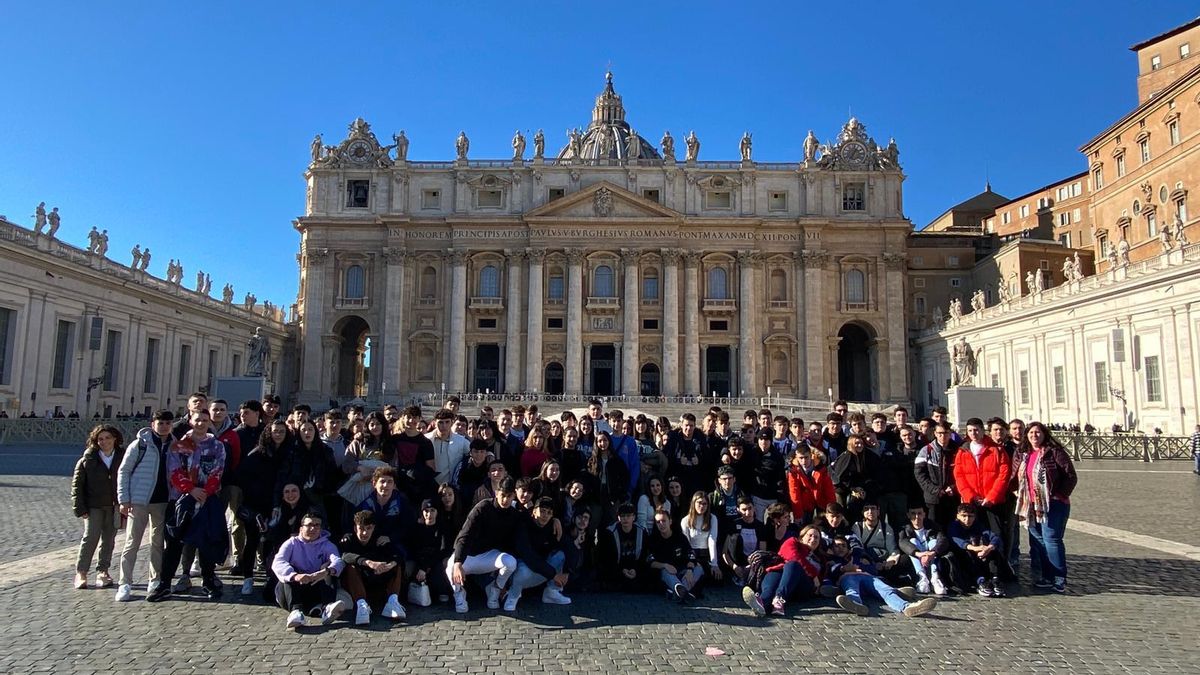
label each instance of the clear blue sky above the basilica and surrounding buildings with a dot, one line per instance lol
(170, 123)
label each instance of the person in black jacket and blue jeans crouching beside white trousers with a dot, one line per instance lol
(541, 558)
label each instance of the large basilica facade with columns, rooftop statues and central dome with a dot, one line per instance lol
(616, 266)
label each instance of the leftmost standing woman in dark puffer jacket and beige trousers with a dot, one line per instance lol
(94, 500)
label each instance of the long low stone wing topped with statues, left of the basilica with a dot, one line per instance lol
(83, 333)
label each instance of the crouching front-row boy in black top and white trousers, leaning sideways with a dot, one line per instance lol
(484, 547)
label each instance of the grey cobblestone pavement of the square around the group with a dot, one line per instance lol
(1130, 611)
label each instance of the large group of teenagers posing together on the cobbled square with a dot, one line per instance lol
(351, 512)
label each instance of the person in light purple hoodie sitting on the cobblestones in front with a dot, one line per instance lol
(307, 566)
